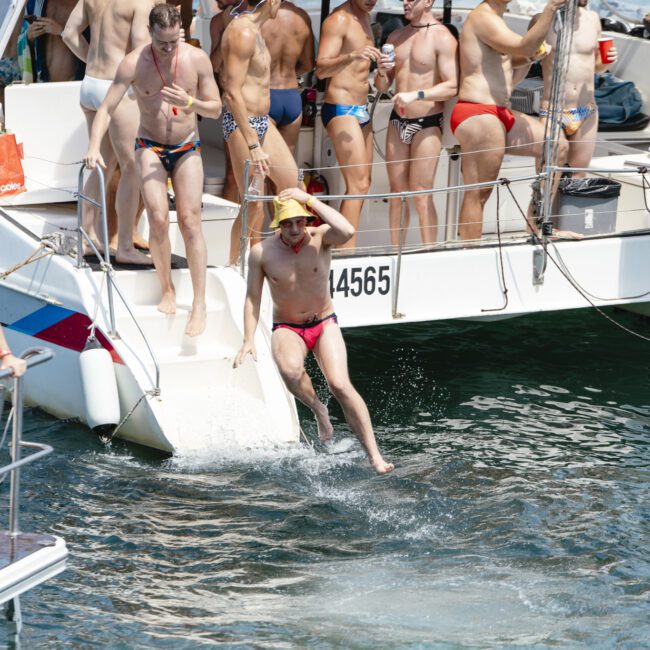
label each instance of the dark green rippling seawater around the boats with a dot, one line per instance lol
(518, 515)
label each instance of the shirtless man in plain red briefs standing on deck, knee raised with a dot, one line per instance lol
(481, 121)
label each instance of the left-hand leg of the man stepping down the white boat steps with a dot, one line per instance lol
(153, 184)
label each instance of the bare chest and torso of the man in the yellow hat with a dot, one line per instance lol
(299, 284)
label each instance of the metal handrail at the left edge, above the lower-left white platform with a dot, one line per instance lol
(34, 357)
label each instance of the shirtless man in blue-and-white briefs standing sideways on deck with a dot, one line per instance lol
(346, 50)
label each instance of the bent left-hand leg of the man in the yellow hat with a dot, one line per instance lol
(289, 352)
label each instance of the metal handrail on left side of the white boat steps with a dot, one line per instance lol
(106, 265)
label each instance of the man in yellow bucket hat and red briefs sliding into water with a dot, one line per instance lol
(296, 264)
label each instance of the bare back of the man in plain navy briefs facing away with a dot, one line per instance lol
(290, 42)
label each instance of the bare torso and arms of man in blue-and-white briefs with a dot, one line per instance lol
(346, 32)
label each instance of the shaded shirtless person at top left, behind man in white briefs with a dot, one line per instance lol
(54, 61)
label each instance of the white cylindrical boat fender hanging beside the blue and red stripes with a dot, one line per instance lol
(99, 386)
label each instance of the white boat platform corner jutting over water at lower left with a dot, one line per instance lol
(27, 560)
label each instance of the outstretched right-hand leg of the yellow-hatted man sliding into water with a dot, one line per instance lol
(332, 358)
